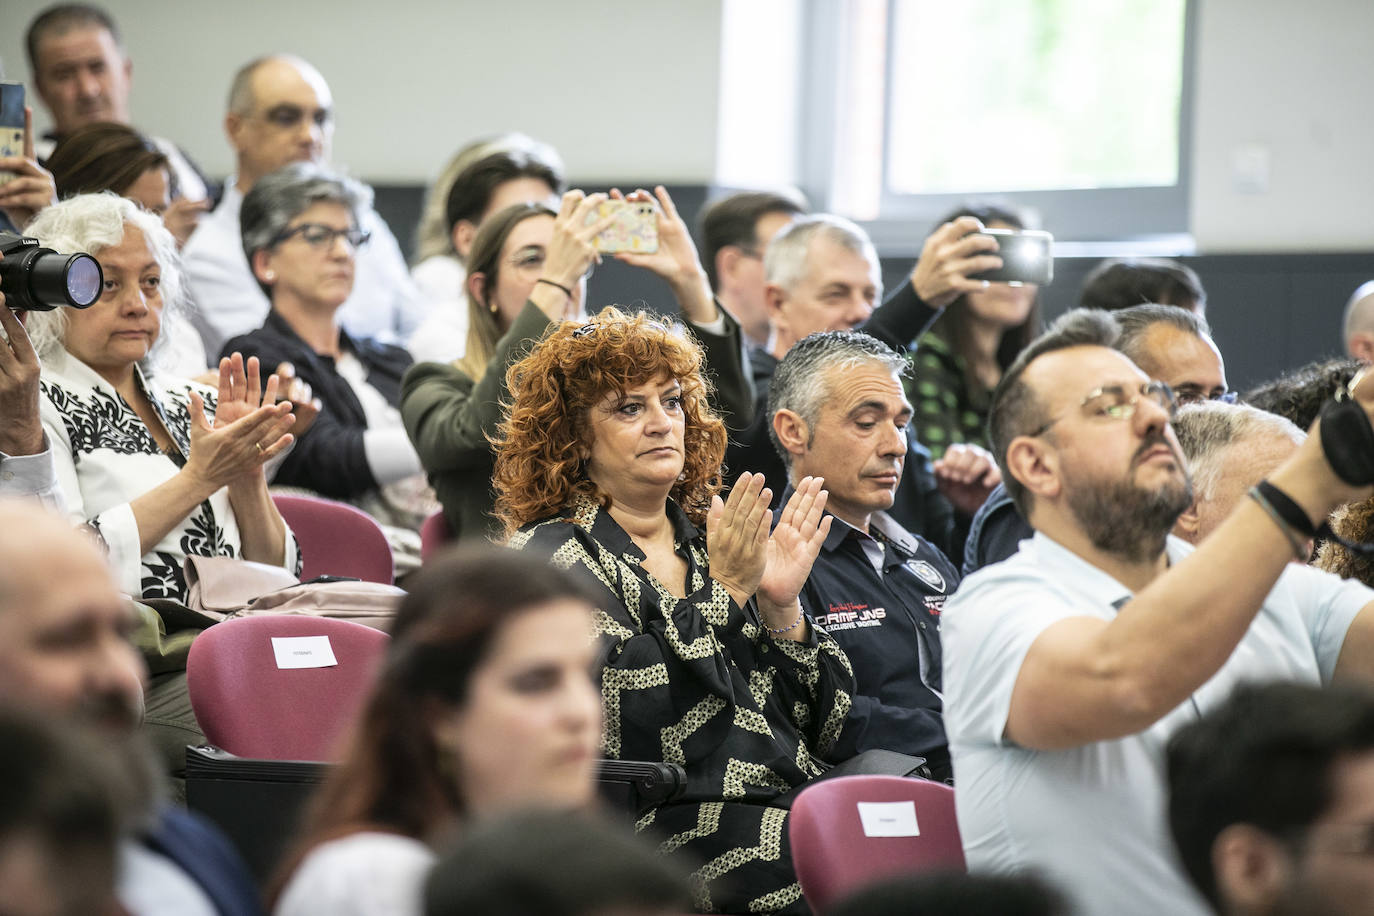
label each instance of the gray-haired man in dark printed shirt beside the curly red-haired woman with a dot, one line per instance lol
(839, 413)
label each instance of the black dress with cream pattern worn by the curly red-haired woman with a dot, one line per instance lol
(699, 682)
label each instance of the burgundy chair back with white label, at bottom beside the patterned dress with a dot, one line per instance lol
(836, 852)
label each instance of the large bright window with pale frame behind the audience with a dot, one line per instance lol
(1075, 109)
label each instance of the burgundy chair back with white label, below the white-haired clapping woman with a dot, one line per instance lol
(251, 707)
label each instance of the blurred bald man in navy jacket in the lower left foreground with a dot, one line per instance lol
(65, 654)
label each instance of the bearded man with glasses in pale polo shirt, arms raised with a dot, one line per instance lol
(1068, 667)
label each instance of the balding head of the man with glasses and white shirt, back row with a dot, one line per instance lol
(280, 112)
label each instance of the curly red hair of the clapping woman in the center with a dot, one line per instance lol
(539, 472)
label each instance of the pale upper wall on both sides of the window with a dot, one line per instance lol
(630, 91)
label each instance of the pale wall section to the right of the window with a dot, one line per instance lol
(1291, 83)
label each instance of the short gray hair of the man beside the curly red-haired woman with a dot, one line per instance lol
(799, 382)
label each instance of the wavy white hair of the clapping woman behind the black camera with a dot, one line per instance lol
(93, 223)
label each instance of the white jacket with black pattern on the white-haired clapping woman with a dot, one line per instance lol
(106, 458)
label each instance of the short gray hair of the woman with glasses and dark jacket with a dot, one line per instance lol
(278, 198)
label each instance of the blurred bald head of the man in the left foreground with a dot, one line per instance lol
(65, 628)
